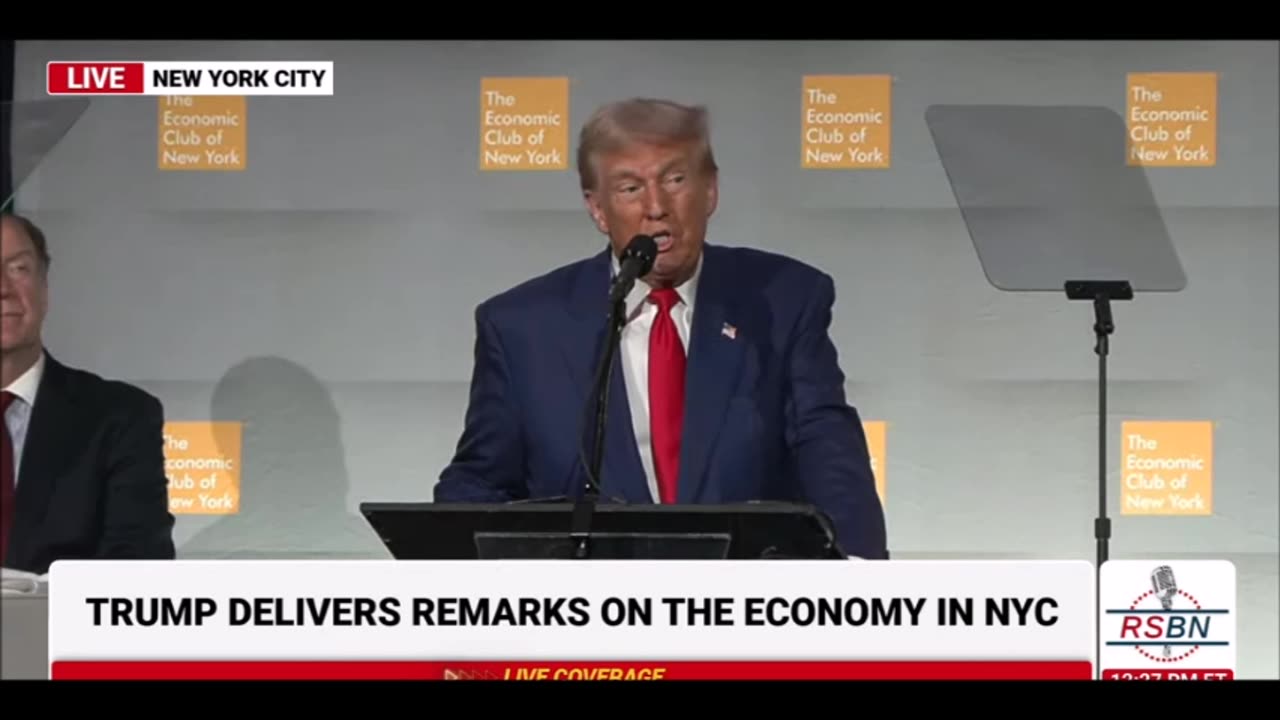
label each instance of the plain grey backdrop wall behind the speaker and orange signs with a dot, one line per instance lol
(324, 295)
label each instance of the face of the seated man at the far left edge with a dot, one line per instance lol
(24, 290)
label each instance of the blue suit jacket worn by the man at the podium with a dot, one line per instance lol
(766, 416)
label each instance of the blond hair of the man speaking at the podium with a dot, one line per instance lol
(643, 121)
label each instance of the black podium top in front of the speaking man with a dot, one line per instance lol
(519, 531)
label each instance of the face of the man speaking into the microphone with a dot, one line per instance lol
(660, 192)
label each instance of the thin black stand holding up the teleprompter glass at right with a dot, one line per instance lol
(1101, 293)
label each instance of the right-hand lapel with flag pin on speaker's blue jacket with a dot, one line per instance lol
(715, 361)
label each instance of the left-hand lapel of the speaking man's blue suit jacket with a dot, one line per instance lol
(582, 345)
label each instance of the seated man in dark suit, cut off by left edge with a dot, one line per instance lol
(83, 464)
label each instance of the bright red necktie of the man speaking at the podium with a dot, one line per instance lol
(666, 393)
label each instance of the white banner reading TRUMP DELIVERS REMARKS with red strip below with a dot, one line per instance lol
(268, 619)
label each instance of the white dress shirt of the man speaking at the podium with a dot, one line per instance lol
(634, 350)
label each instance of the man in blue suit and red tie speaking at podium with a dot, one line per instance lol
(726, 385)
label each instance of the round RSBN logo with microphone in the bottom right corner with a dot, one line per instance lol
(1167, 623)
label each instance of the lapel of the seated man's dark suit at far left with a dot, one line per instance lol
(53, 421)
